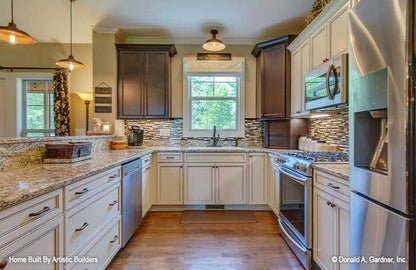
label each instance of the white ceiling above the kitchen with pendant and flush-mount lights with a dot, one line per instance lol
(239, 21)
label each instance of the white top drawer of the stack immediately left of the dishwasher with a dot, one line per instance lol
(81, 191)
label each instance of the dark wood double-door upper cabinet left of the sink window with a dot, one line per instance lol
(144, 81)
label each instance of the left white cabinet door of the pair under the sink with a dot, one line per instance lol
(199, 183)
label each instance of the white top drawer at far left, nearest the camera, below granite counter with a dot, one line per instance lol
(17, 220)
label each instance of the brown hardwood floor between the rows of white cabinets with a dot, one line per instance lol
(163, 243)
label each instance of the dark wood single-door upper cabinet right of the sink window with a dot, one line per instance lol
(273, 78)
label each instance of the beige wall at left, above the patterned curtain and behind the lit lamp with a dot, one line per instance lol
(45, 55)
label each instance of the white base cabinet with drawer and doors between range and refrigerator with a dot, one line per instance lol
(330, 221)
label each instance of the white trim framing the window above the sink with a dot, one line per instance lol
(239, 132)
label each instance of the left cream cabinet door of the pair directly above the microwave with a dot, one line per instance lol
(319, 49)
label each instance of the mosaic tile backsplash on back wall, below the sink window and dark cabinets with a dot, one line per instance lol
(253, 134)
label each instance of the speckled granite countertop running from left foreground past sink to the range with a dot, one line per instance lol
(19, 185)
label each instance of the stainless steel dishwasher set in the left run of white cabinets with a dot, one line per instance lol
(131, 198)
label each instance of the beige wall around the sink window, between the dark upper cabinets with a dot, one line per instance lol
(235, 50)
